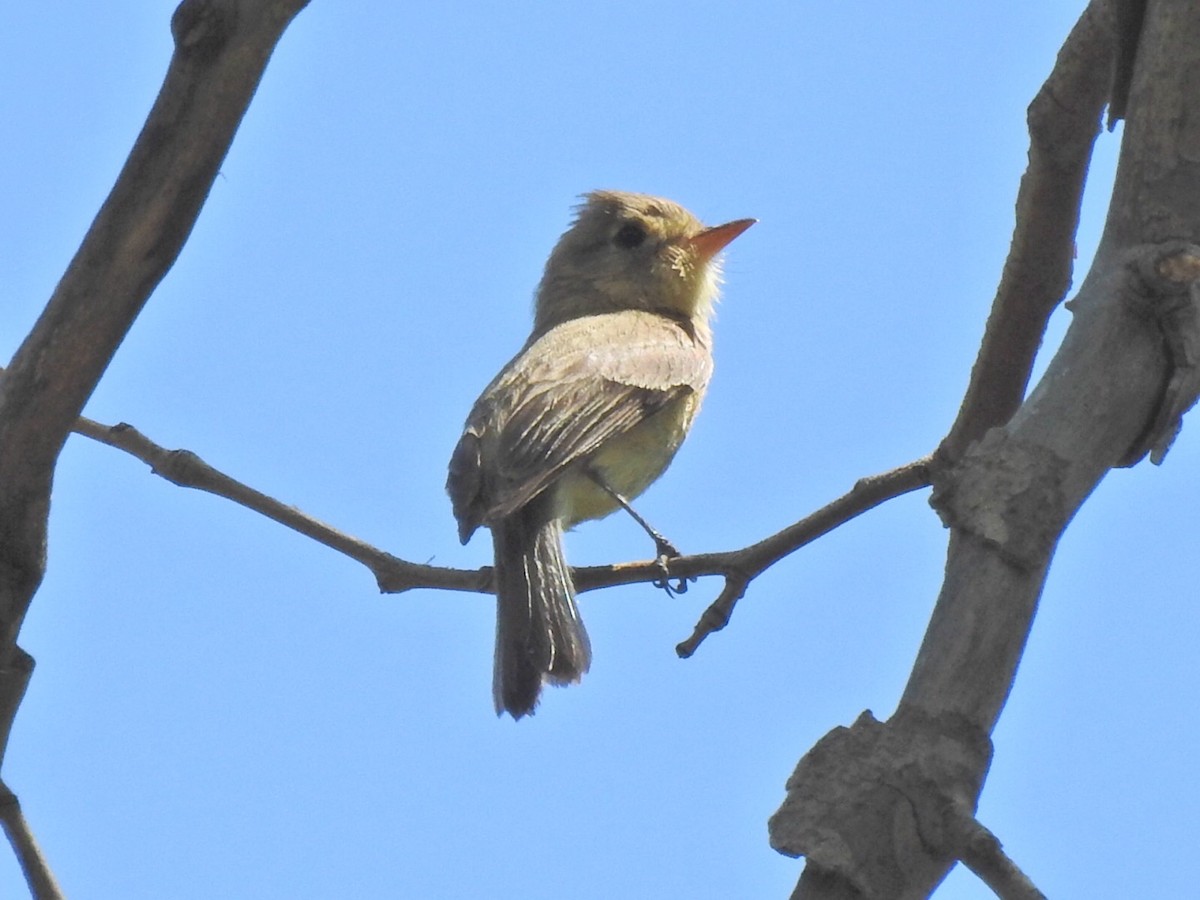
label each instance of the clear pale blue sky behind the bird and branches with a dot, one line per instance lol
(225, 710)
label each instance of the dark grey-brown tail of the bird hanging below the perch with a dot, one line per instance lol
(539, 634)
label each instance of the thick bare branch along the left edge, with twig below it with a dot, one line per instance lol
(221, 51)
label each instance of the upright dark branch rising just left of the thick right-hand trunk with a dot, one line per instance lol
(1064, 122)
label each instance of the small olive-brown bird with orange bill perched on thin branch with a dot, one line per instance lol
(589, 415)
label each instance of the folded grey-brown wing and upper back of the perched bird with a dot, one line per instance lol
(581, 385)
